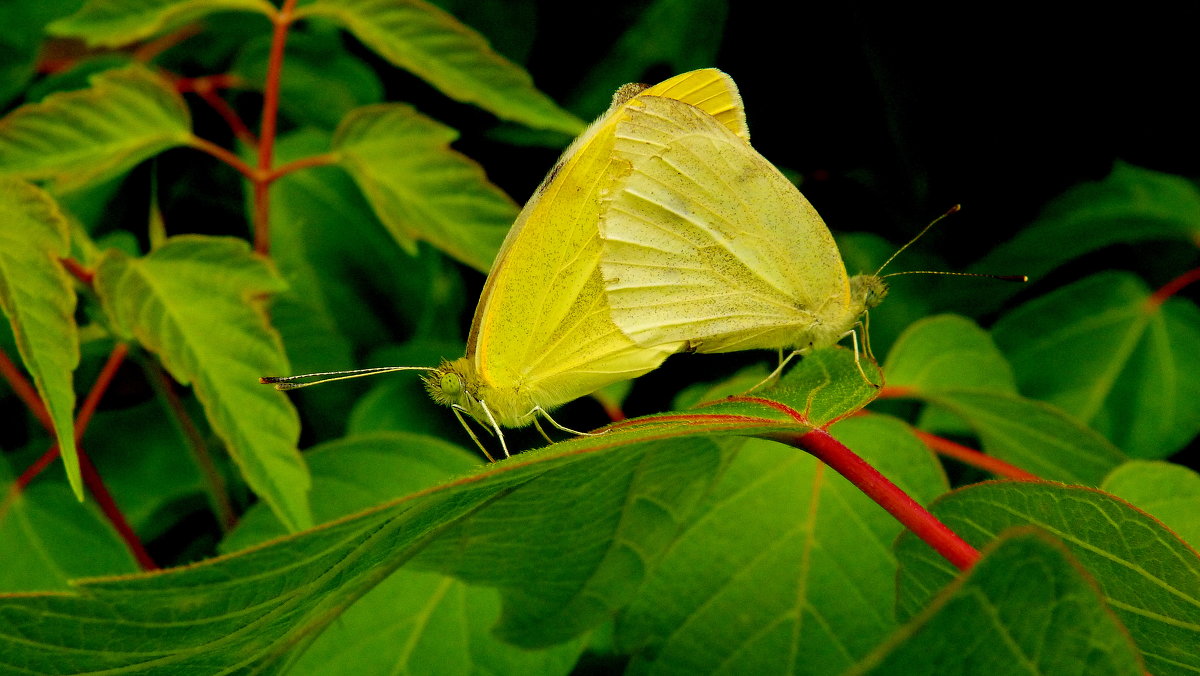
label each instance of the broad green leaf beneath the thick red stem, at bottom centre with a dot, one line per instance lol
(785, 567)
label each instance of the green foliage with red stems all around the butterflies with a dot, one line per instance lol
(153, 202)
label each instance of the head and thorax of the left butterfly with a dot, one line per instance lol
(460, 386)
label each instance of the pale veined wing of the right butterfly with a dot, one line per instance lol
(706, 242)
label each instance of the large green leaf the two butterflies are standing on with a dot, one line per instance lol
(566, 534)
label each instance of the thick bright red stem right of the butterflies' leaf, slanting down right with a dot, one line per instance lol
(886, 494)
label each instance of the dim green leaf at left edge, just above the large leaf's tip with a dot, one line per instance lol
(47, 539)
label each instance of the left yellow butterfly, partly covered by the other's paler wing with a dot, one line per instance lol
(543, 334)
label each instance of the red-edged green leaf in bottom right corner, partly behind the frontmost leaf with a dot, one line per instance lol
(1148, 576)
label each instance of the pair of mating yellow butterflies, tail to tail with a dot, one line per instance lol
(659, 230)
